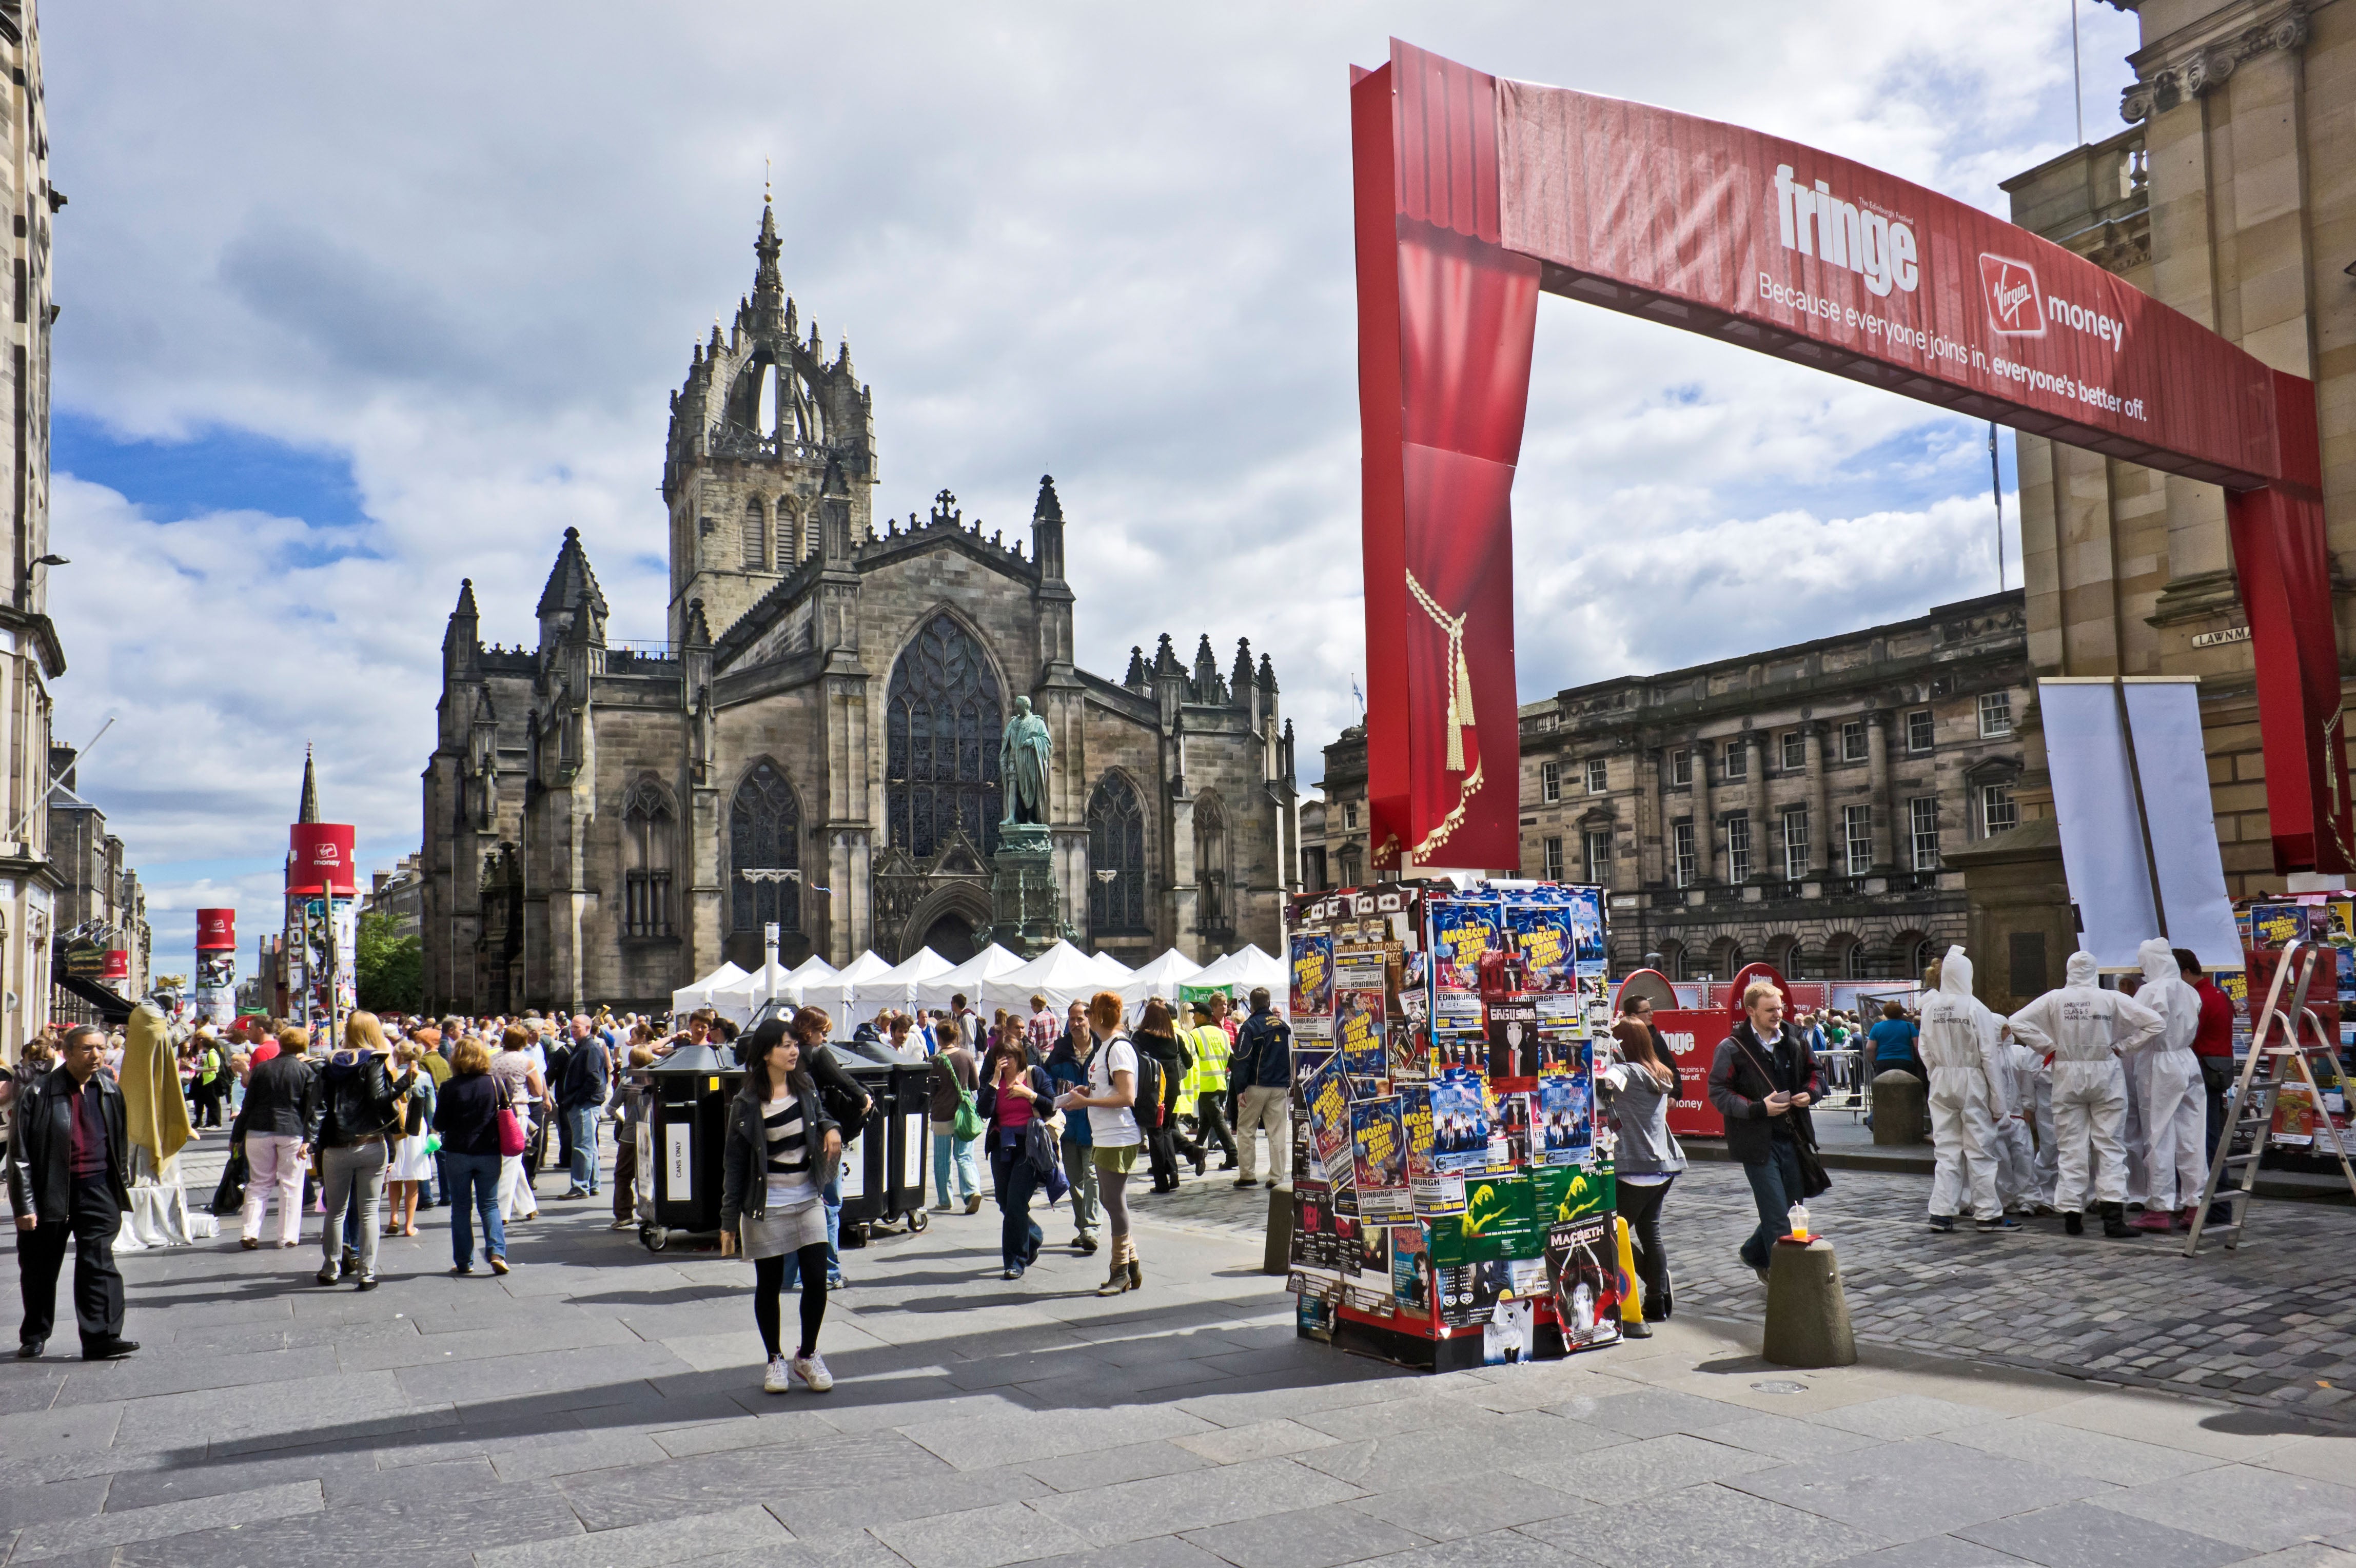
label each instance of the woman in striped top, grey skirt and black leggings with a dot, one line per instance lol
(781, 1152)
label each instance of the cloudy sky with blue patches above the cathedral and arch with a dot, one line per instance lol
(366, 300)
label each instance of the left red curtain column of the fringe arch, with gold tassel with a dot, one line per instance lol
(1445, 335)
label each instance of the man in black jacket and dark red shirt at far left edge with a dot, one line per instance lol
(70, 1181)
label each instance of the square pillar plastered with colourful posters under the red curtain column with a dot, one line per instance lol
(1443, 1075)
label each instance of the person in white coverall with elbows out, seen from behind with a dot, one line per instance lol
(2086, 1032)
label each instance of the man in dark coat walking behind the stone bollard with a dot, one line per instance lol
(1763, 1082)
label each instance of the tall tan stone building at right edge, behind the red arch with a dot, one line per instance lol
(2232, 199)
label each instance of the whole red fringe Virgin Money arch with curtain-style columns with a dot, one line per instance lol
(1794, 253)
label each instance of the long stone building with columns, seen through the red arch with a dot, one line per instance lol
(1792, 806)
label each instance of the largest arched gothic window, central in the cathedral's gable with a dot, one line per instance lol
(941, 743)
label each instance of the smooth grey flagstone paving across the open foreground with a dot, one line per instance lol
(602, 1409)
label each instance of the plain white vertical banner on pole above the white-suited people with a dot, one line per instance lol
(2131, 813)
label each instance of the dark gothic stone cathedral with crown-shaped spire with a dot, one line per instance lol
(816, 745)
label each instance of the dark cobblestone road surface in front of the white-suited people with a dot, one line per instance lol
(2270, 1324)
